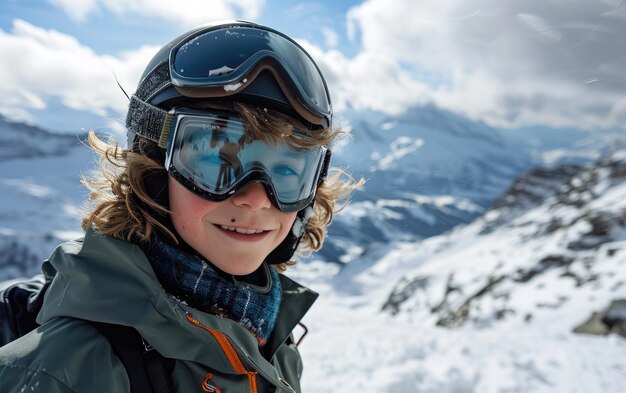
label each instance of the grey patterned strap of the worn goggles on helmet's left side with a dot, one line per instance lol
(148, 121)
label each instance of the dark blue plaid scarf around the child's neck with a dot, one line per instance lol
(190, 278)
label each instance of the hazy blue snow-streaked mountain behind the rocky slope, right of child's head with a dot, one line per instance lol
(429, 170)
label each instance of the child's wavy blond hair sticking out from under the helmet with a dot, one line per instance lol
(122, 207)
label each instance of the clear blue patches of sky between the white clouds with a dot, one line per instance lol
(108, 33)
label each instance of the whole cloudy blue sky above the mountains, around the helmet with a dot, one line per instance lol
(511, 64)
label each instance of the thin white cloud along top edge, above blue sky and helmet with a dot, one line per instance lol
(186, 13)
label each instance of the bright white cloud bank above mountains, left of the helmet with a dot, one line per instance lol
(39, 64)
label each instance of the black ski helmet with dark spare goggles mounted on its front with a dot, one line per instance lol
(240, 60)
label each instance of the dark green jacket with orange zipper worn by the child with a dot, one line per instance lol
(102, 279)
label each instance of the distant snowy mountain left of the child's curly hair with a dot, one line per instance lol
(41, 194)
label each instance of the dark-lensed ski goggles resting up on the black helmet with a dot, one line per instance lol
(224, 60)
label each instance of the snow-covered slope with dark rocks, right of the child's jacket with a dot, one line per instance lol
(487, 307)
